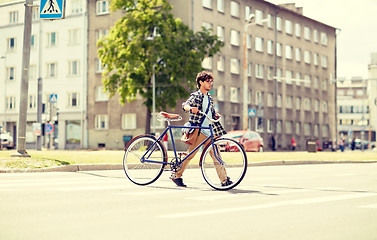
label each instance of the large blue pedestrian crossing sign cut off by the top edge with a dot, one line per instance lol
(52, 9)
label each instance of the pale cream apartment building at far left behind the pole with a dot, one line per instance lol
(58, 56)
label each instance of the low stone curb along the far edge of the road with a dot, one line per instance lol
(98, 167)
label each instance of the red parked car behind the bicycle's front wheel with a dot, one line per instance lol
(251, 141)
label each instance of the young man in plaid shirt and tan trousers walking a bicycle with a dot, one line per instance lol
(200, 101)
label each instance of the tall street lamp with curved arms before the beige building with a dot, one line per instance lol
(245, 65)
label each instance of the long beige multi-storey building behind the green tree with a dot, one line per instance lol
(291, 59)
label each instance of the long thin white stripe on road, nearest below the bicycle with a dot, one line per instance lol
(268, 205)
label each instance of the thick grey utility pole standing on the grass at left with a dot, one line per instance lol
(21, 140)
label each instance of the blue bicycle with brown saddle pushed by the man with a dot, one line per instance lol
(145, 156)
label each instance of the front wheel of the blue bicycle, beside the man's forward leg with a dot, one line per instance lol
(234, 167)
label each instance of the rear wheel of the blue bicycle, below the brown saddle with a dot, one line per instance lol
(137, 171)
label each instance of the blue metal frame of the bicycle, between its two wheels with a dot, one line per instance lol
(169, 128)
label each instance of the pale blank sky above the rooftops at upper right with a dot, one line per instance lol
(358, 24)
